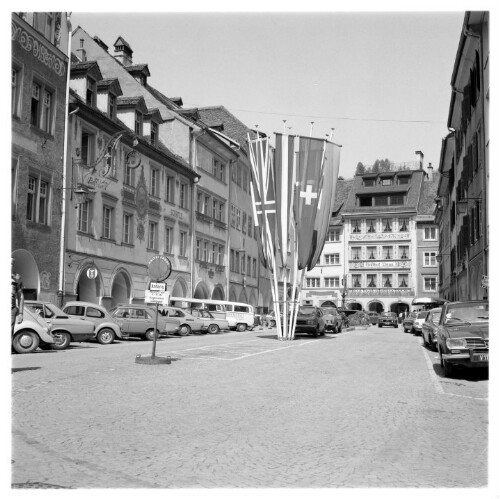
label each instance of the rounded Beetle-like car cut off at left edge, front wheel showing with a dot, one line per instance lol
(31, 333)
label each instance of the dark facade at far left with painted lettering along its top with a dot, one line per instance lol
(39, 76)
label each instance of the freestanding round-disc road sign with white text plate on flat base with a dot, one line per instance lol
(159, 269)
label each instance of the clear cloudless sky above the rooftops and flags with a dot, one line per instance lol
(381, 79)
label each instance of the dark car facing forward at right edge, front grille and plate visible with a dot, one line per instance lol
(463, 335)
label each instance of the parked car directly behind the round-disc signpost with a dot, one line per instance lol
(139, 321)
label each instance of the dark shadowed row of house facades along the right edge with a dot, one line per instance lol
(462, 209)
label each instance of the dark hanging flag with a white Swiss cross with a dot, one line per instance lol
(309, 177)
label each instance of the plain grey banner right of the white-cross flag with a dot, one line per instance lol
(326, 201)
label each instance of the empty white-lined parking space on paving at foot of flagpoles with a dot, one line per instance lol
(217, 352)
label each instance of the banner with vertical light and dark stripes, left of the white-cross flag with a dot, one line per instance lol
(284, 157)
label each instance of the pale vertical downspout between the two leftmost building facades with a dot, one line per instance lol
(60, 290)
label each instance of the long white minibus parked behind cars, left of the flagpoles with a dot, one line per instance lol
(240, 316)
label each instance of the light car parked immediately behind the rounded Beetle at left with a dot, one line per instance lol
(65, 329)
